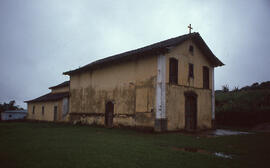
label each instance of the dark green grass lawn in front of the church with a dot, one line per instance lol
(49, 145)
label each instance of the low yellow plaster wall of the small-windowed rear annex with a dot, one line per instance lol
(48, 110)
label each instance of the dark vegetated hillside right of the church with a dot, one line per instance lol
(246, 106)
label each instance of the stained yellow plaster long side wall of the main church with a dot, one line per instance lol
(130, 85)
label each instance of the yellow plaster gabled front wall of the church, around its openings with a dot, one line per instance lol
(175, 92)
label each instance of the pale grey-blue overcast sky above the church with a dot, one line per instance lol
(39, 40)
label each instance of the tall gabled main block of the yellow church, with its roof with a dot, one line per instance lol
(165, 86)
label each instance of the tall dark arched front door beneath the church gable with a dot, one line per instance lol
(190, 110)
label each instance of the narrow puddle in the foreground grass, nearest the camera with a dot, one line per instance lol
(196, 150)
